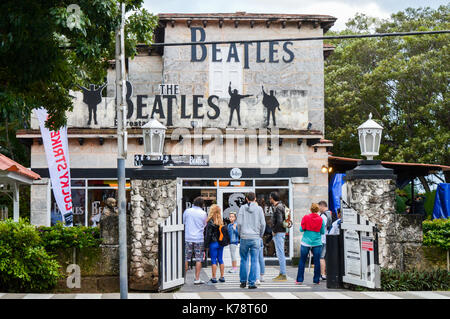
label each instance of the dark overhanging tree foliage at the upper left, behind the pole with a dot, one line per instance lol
(43, 55)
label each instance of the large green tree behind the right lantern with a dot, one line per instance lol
(402, 81)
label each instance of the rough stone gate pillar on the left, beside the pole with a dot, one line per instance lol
(152, 202)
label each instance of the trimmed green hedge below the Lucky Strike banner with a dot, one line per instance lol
(58, 236)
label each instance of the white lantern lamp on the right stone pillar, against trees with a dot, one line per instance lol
(369, 134)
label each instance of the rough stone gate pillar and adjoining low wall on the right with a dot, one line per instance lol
(400, 236)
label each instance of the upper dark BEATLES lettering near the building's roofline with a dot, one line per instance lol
(232, 53)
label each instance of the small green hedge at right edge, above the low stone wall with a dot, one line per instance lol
(436, 233)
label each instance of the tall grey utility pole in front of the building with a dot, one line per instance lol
(121, 152)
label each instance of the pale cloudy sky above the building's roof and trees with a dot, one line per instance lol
(341, 9)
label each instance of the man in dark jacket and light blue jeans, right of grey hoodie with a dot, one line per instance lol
(279, 233)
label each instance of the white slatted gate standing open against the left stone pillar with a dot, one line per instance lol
(171, 252)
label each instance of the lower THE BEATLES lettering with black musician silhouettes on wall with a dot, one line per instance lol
(169, 93)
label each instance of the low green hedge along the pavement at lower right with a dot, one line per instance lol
(396, 280)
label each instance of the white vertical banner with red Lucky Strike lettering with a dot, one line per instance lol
(57, 153)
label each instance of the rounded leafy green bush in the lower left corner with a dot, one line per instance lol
(25, 266)
